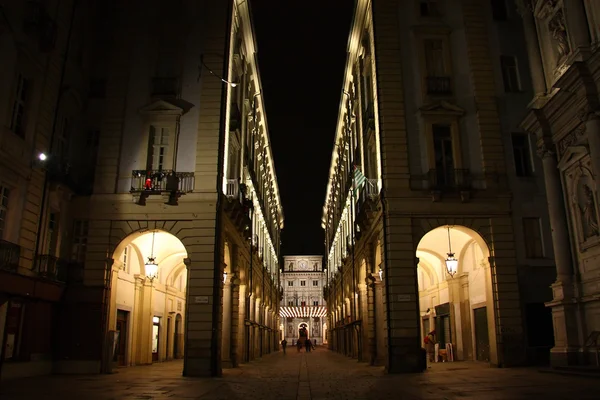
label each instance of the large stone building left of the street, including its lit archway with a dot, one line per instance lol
(168, 247)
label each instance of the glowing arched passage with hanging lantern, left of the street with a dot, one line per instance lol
(147, 311)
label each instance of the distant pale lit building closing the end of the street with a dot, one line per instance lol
(302, 303)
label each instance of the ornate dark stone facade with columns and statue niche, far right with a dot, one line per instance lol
(563, 41)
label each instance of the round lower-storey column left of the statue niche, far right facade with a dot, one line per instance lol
(558, 218)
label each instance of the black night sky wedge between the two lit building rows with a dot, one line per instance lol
(301, 56)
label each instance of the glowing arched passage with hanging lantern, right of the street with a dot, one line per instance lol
(456, 309)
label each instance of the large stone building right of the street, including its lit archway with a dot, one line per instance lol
(430, 169)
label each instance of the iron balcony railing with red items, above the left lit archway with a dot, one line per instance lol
(159, 181)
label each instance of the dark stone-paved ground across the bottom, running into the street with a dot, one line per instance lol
(318, 375)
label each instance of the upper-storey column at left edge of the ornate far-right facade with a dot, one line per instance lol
(538, 79)
